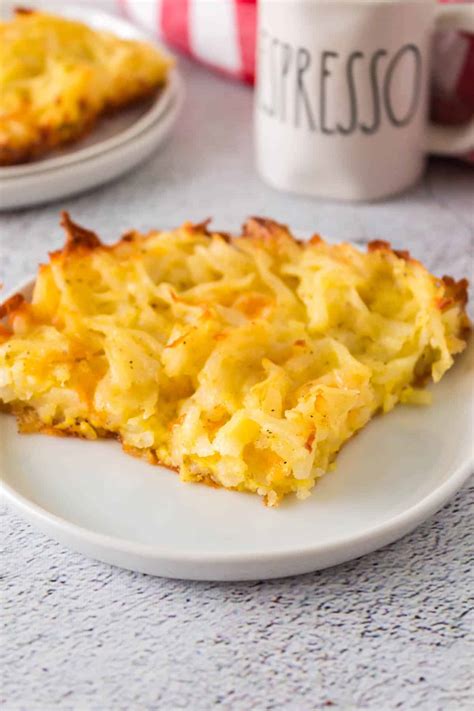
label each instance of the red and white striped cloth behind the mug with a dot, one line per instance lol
(221, 34)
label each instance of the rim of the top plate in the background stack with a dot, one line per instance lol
(173, 87)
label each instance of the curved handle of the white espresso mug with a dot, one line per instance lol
(452, 140)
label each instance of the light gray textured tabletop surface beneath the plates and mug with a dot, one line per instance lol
(391, 630)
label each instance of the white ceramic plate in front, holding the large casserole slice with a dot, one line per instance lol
(99, 501)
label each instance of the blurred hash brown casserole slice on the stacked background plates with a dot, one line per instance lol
(58, 76)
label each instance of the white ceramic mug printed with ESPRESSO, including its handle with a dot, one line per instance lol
(342, 94)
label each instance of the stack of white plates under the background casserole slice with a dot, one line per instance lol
(116, 145)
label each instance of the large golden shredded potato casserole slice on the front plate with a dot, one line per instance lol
(241, 362)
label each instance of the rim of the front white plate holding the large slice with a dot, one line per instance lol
(371, 539)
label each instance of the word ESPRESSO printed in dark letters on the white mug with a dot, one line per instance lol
(294, 86)
